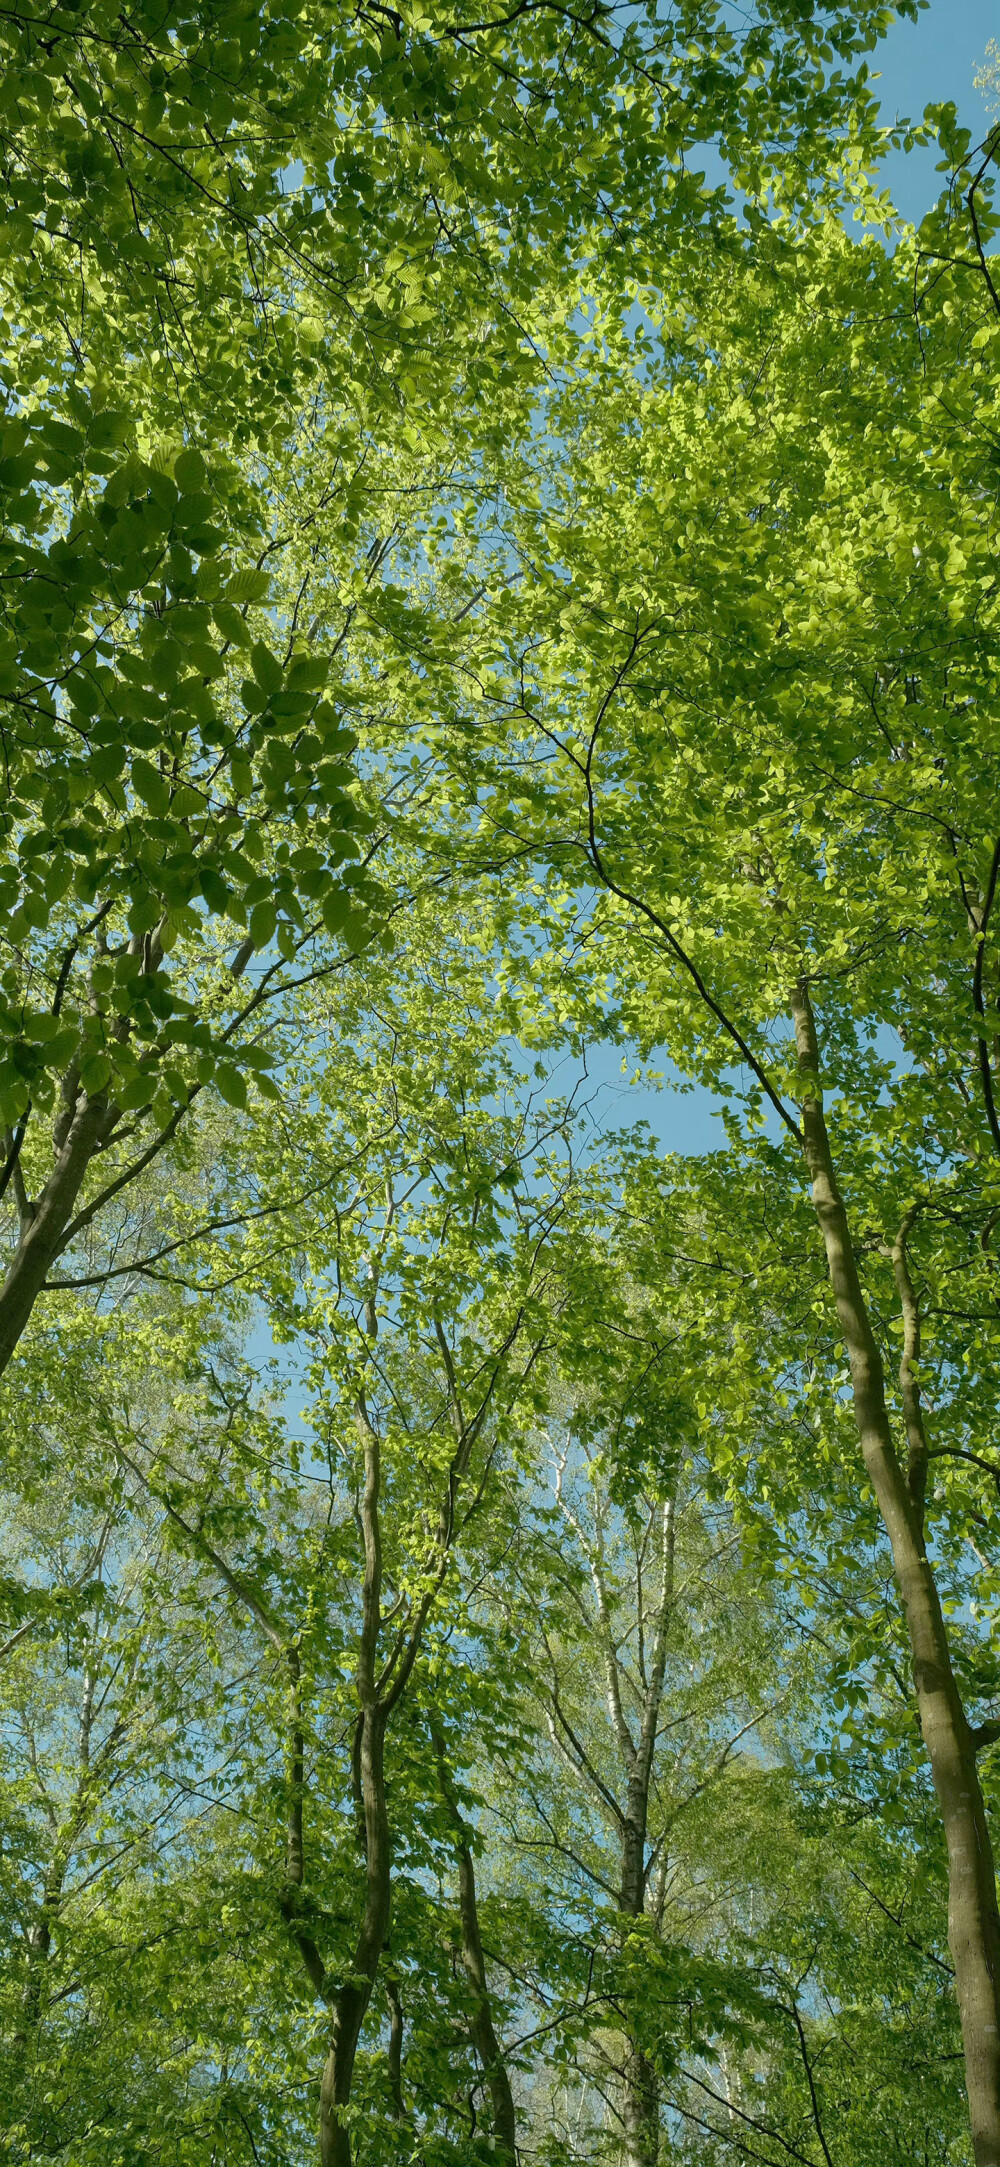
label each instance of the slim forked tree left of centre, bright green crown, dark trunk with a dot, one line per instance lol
(426, 1303)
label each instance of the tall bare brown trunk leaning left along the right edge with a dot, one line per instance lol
(973, 1908)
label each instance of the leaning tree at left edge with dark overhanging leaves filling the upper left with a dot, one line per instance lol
(155, 788)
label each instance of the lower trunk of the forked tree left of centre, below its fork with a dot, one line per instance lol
(352, 1999)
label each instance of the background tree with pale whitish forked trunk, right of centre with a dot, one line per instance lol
(786, 1954)
